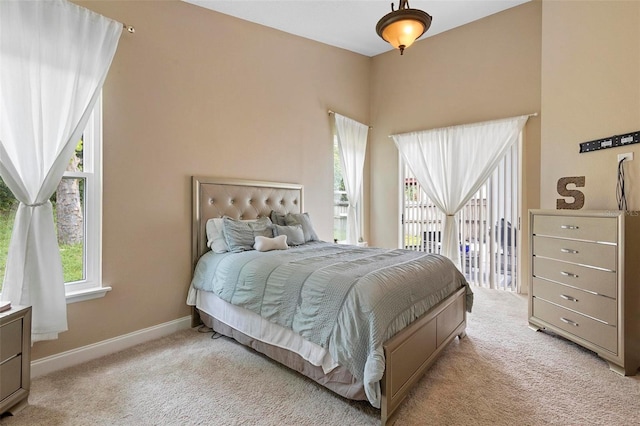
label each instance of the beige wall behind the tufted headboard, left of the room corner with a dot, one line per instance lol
(194, 92)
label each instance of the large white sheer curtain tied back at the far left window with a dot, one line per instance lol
(54, 58)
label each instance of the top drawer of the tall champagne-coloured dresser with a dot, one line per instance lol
(604, 229)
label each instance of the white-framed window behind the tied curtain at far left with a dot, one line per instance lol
(77, 205)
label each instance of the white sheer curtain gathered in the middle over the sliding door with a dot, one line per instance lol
(452, 163)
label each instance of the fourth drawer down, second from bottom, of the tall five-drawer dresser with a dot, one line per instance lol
(599, 307)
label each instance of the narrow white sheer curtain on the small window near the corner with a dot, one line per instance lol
(352, 143)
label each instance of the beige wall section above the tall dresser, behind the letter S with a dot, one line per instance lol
(590, 90)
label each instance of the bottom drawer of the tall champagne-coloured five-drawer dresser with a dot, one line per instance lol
(600, 334)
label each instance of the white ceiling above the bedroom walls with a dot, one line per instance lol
(351, 24)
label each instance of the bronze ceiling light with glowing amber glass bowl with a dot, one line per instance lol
(402, 27)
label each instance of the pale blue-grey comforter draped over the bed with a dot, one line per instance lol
(347, 299)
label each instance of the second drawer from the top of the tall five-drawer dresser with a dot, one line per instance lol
(592, 254)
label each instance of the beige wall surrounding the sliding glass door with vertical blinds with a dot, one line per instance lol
(485, 70)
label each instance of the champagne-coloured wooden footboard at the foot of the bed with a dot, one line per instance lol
(409, 353)
